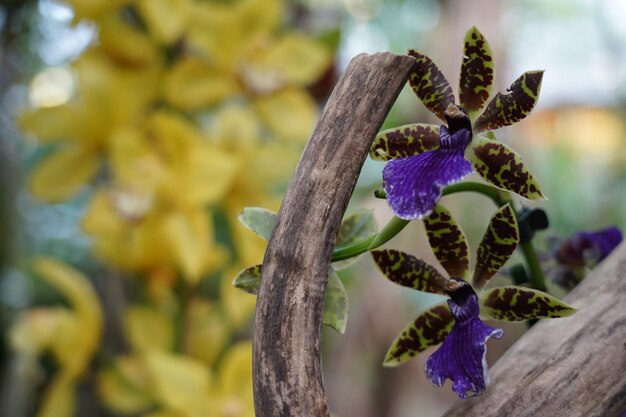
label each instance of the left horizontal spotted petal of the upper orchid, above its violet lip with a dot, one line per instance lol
(403, 141)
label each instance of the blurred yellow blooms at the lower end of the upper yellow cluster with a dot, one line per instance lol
(155, 242)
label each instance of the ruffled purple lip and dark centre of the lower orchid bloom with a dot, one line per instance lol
(462, 355)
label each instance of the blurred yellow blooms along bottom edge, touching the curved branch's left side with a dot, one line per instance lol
(178, 384)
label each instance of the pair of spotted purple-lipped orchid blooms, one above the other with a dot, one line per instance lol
(422, 160)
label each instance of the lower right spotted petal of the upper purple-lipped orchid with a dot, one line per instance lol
(503, 167)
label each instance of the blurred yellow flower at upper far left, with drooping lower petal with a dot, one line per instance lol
(109, 98)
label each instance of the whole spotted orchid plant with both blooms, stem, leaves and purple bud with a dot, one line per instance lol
(423, 163)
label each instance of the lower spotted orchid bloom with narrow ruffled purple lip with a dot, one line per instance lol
(456, 323)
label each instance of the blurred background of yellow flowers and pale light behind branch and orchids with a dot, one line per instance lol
(133, 133)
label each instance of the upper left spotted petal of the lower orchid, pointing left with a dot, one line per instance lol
(408, 271)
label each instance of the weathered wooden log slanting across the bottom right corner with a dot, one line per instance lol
(574, 366)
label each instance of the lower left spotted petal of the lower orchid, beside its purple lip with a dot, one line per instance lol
(429, 328)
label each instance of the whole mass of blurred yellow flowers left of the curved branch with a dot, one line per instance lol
(184, 112)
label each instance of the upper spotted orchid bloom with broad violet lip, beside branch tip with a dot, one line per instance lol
(424, 158)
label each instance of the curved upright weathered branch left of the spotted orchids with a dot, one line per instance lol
(287, 359)
